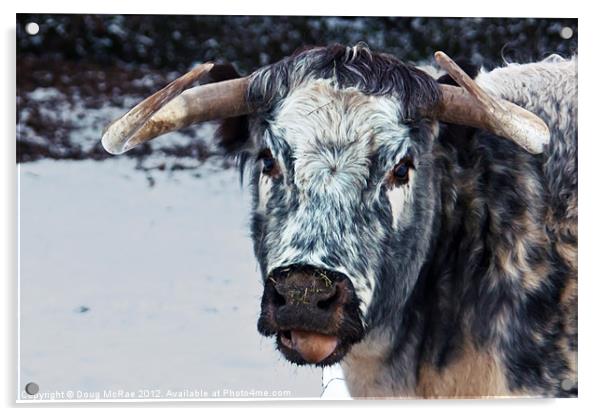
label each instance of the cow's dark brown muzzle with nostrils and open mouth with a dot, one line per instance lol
(313, 312)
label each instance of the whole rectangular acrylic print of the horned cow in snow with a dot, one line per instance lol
(327, 209)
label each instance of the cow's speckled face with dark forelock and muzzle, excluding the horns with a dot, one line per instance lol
(341, 178)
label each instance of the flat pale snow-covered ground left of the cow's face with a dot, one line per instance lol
(133, 287)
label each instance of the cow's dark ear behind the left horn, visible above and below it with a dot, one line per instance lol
(232, 133)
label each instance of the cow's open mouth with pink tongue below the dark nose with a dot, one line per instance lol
(308, 347)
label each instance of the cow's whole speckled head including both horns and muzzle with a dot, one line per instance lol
(338, 145)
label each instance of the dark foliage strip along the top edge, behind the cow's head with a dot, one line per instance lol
(175, 42)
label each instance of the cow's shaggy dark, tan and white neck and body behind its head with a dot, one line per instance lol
(493, 312)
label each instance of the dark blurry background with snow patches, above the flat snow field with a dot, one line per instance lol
(78, 67)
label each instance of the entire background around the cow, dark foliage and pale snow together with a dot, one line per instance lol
(137, 277)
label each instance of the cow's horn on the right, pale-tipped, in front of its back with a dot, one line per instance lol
(469, 105)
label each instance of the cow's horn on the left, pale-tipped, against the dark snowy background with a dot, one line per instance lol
(174, 107)
